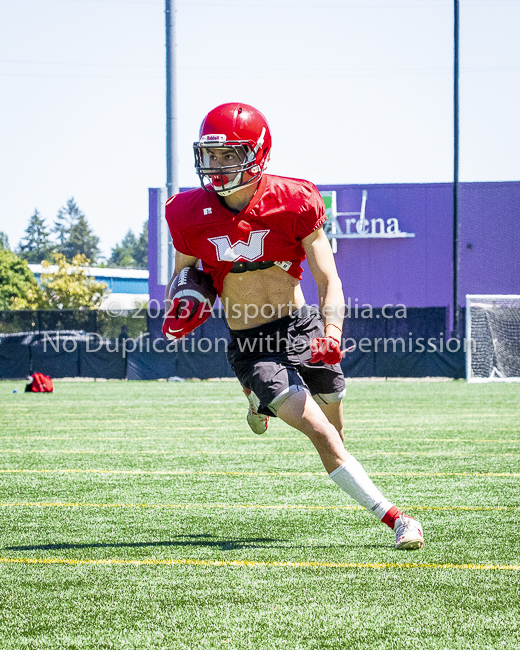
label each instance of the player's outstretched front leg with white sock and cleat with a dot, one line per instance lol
(301, 412)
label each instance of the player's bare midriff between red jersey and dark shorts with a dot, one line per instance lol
(253, 298)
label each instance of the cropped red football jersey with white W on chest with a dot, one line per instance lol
(280, 215)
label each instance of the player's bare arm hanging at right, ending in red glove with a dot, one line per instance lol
(330, 294)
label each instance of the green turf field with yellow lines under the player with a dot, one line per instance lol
(146, 515)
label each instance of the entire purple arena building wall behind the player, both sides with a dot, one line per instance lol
(417, 271)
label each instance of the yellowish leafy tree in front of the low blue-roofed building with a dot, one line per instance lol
(69, 287)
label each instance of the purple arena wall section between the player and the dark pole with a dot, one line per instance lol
(412, 271)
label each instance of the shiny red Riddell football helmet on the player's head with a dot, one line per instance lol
(233, 148)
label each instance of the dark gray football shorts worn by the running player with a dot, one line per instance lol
(272, 360)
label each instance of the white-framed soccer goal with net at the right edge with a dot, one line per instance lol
(492, 338)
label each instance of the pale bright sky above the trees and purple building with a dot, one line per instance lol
(355, 92)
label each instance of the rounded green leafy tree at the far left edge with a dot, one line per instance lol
(18, 286)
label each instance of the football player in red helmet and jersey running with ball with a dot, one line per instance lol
(251, 231)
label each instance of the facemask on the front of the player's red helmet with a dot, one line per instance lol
(248, 163)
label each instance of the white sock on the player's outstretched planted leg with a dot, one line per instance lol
(352, 478)
